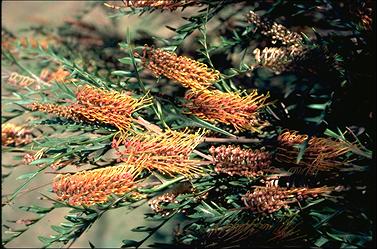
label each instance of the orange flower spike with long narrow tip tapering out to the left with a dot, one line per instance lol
(97, 105)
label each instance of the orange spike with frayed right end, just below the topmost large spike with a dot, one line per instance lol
(228, 108)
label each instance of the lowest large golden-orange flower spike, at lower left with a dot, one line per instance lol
(93, 186)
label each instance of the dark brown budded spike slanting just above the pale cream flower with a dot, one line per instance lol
(276, 31)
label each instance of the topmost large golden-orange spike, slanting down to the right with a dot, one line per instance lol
(189, 73)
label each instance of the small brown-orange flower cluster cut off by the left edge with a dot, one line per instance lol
(15, 135)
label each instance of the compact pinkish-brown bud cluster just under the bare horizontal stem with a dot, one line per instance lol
(233, 160)
